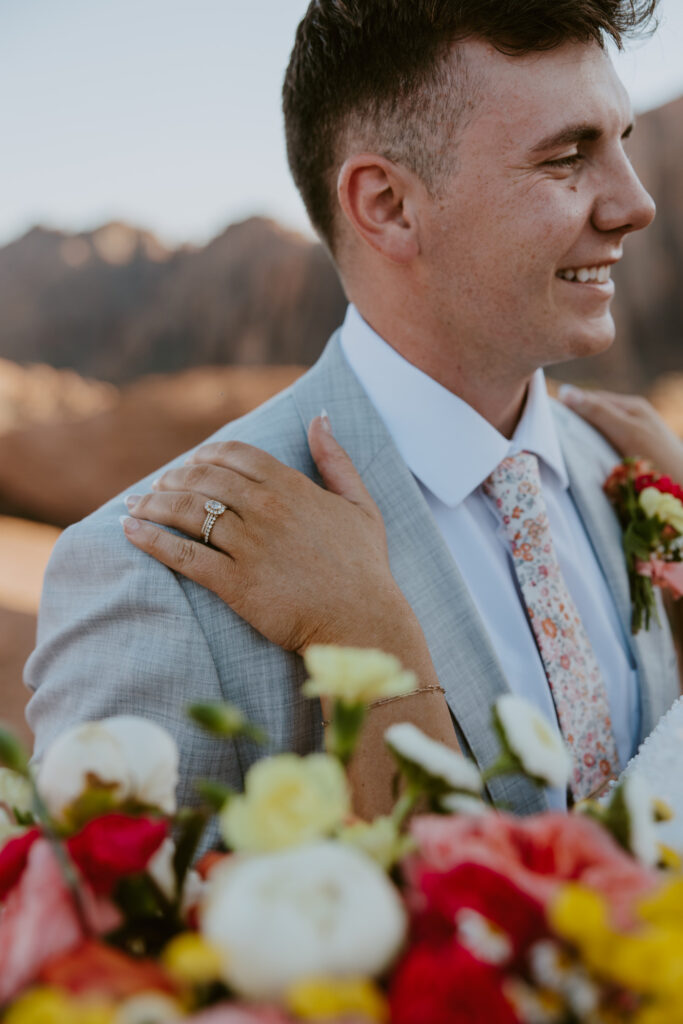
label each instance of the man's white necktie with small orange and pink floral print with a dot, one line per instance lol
(574, 674)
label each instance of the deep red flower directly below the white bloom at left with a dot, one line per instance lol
(115, 845)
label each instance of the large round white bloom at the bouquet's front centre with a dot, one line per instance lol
(319, 911)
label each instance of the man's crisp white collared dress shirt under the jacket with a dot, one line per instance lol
(451, 451)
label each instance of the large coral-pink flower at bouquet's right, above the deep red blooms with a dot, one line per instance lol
(537, 855)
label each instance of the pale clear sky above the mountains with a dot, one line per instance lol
(166, 113)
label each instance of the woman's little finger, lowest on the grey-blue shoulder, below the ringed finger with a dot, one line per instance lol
(192, 559)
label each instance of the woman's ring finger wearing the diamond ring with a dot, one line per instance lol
(186, 511)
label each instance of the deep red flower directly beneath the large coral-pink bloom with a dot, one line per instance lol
(476, 887)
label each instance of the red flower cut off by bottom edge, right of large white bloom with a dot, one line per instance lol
(447, 986)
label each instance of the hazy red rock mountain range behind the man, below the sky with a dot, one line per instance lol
(115, 305)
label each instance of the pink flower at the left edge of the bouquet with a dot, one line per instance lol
(39, 922)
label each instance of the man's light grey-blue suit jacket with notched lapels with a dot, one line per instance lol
(120, 633)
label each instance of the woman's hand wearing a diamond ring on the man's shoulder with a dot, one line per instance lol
(301, 564)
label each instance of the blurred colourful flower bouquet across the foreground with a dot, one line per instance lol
(443, 912)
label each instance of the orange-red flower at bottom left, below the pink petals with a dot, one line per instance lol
(94, 969)
